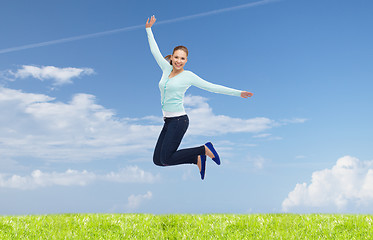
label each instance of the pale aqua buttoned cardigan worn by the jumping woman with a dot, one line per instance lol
(173, 89)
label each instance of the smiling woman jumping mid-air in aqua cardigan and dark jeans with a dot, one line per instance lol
(173, 85)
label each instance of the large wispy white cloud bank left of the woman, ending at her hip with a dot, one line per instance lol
(36, 126)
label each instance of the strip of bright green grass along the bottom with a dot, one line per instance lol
(180, 226)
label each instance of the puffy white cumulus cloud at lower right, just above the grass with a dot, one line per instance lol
(347, 186)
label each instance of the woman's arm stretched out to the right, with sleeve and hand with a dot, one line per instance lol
(200, 83)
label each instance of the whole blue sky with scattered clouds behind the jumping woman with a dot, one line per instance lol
(80, 117)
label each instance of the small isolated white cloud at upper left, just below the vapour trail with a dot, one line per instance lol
(59, 76)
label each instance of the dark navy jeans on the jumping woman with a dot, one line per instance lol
(166, 153)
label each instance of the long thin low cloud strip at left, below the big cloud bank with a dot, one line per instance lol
(37, 178)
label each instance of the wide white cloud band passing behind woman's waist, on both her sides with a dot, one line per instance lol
(37, 126)
